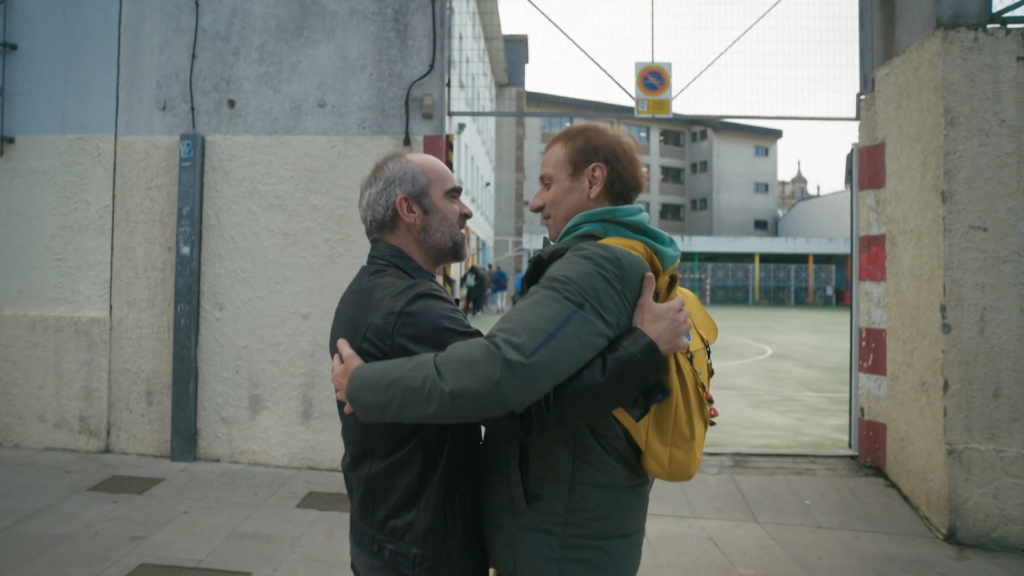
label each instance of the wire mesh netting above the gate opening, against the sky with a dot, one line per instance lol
(732, 59)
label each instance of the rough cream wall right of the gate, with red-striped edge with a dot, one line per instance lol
(950, 211)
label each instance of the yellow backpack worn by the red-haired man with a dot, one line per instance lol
(672, 434)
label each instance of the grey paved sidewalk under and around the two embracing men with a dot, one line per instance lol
(742, 516)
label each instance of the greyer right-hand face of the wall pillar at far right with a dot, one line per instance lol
(984, 226)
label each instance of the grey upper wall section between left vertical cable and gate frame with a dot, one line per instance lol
(290, 68)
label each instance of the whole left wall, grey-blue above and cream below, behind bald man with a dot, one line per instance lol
(88, 252)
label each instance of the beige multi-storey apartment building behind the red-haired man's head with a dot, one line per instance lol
(706, 178)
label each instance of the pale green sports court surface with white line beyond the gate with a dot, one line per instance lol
(783, 379)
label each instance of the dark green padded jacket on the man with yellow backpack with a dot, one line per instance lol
(572, 506)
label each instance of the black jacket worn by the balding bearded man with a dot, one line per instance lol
(415, 488)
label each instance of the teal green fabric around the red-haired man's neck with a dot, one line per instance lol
(624, 222)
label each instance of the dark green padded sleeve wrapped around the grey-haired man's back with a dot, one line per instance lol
(584, 302)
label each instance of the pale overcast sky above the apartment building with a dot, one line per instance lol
(800, 61)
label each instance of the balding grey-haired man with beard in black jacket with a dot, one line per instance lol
(415, 488)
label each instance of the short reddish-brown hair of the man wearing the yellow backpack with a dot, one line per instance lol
(592, 143)
